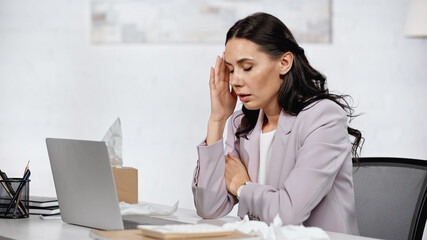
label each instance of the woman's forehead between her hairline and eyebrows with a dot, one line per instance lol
(238, 48)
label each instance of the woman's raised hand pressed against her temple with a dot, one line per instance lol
(223, 101)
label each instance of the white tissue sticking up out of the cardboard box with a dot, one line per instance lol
(113, 139)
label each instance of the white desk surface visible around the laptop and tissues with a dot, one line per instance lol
(35, 228)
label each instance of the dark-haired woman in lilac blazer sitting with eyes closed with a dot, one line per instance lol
(288, 151)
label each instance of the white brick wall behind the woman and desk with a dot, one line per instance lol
(54, 83)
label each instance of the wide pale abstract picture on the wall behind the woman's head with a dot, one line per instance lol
(201, 21)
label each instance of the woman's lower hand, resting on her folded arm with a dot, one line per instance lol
(235, 174)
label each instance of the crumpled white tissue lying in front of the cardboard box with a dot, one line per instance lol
(147, 209)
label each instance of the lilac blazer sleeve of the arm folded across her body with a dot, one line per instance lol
(324, 146)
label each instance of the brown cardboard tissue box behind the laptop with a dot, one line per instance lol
(126, 179)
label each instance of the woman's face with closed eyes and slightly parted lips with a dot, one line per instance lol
(254, 76)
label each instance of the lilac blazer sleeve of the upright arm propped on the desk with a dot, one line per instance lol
(211, 198)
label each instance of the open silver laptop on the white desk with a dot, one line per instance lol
(85, 186)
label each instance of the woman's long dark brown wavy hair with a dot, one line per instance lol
(301, 86)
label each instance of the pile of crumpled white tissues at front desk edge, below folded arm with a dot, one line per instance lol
(276, 231)
